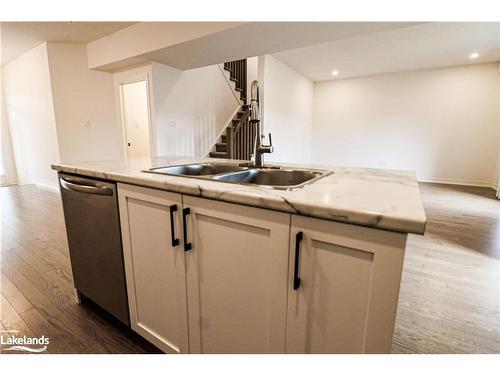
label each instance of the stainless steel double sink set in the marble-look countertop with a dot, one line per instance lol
(275, 177)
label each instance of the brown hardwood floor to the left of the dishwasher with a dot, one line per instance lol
(37, 296)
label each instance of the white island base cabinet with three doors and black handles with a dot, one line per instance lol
(205, 276)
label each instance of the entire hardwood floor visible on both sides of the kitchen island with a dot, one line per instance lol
(449, 299)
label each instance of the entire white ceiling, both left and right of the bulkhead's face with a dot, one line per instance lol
(354, 49)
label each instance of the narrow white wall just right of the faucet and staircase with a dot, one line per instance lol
(287, 98)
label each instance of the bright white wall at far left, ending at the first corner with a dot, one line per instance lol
(30, 114)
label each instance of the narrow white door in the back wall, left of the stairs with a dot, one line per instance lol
(135, 108)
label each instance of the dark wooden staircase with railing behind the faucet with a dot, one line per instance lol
(237, 142)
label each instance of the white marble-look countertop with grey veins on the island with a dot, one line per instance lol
(385, 199)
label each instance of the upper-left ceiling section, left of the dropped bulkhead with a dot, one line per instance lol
(20, 37)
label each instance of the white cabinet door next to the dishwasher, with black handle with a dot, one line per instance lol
(154, 265)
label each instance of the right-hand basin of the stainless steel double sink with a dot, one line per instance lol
(277, 178)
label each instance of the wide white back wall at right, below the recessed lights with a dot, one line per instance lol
(442, 123)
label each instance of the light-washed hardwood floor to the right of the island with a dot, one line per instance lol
(449, 299)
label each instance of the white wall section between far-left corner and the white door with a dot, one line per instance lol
(84, 105)
